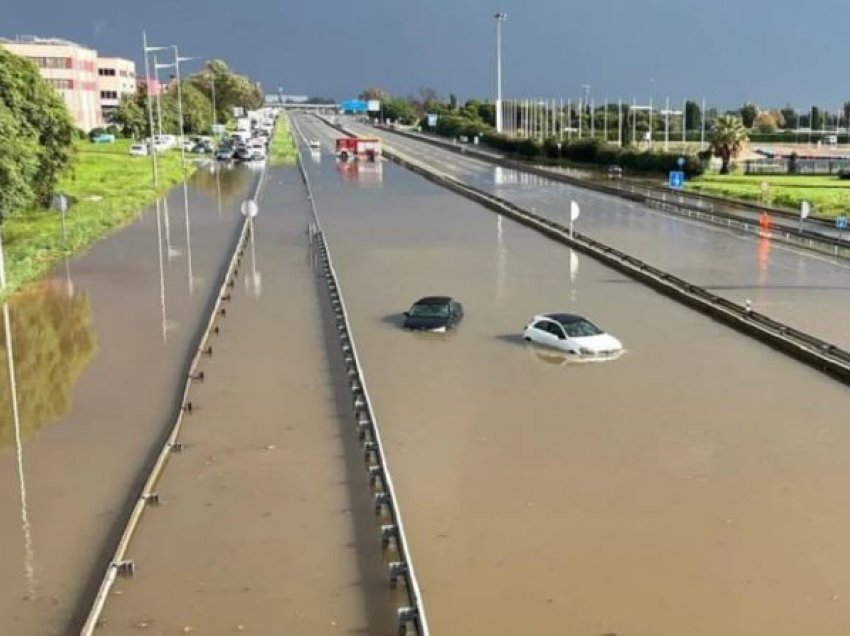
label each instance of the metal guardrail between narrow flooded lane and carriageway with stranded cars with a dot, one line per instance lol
(397, 551)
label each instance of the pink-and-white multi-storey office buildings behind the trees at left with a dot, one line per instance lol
(91, 86)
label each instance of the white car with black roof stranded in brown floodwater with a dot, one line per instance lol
(571, 333)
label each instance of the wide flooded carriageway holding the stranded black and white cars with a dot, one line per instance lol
(694, 486)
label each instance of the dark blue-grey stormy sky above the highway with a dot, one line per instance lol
(768, 51)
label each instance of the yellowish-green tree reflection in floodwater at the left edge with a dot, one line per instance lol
(54, 341)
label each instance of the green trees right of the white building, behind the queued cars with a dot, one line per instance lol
(208, 96)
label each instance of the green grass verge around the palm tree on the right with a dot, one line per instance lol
(829, 195)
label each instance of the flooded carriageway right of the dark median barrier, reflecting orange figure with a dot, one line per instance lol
(808, 291)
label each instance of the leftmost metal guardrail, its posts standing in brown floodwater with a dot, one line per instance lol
(121, 564)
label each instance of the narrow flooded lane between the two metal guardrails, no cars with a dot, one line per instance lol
(273, 476)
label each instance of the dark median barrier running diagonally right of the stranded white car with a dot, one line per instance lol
(819, 354)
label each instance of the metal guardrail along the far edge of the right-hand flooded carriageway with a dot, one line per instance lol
(647, 194)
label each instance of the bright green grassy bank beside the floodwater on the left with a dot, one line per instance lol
(106, 187)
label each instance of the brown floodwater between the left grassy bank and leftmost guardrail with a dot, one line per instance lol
(98, 349)
